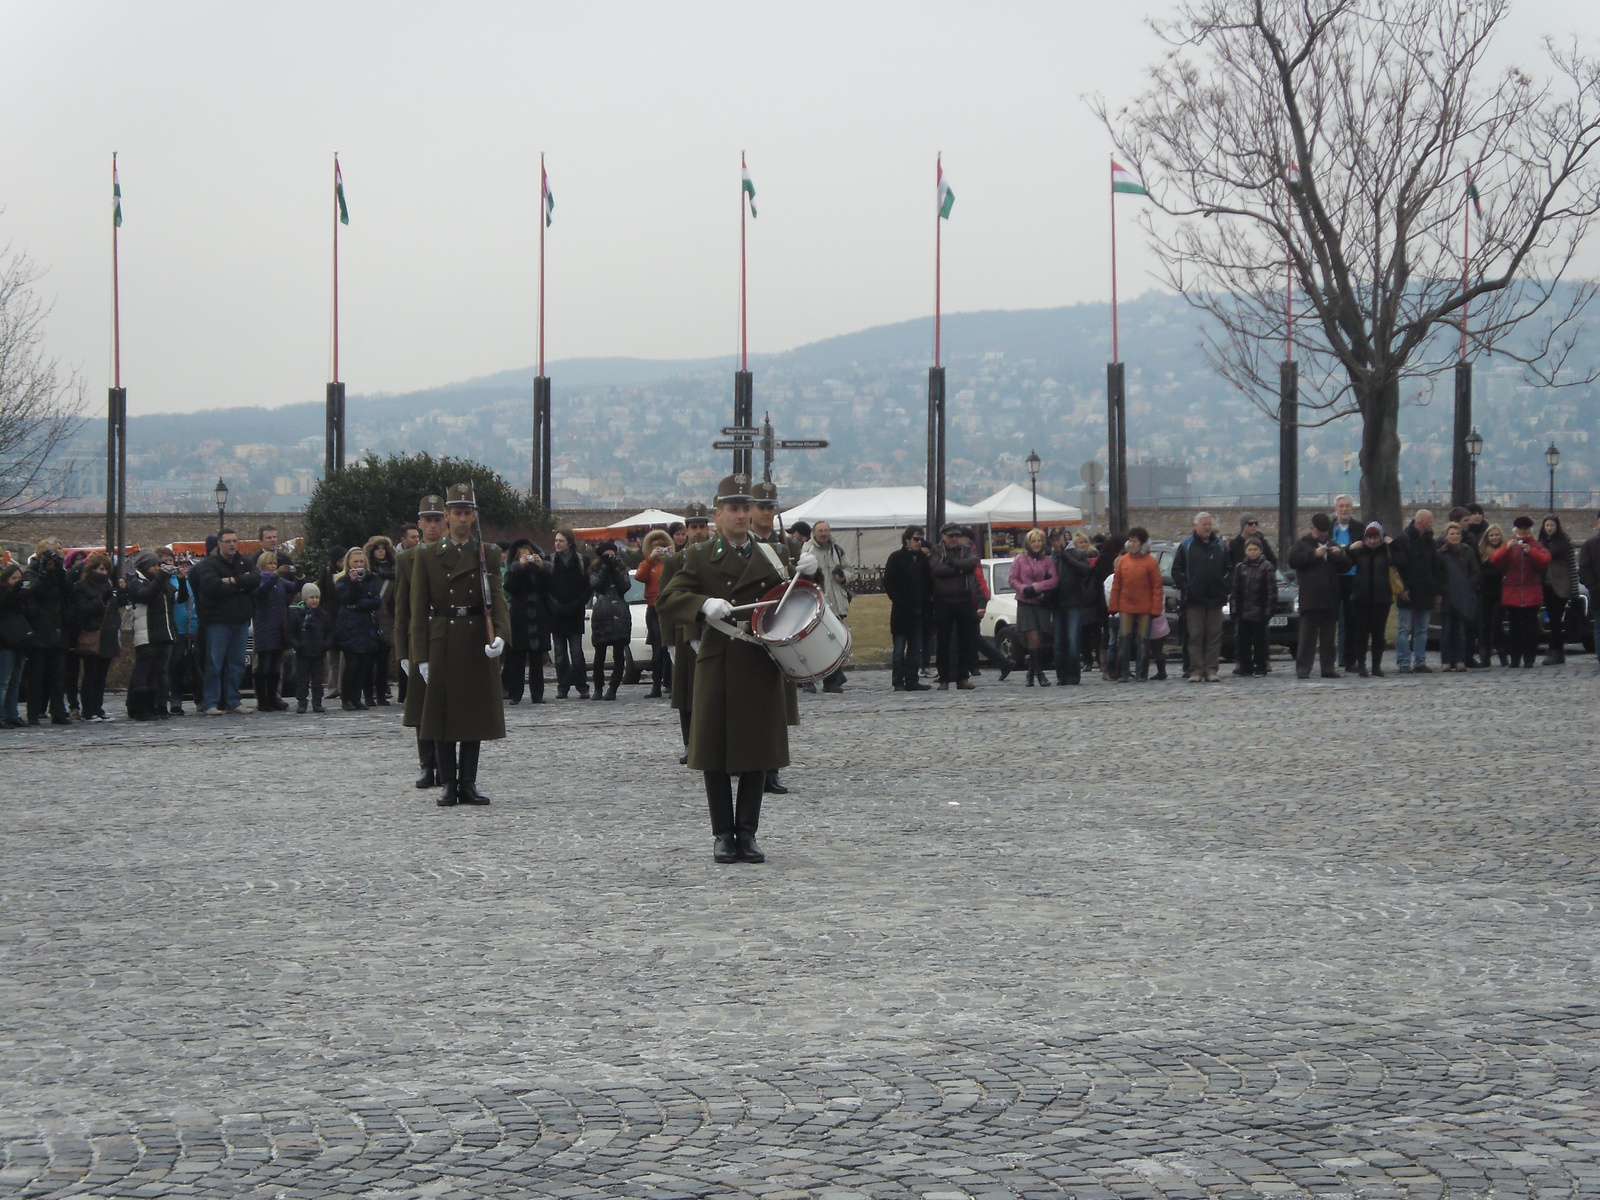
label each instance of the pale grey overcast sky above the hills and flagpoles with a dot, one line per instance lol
(226, 119)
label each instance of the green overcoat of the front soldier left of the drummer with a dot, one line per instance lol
(463, 702)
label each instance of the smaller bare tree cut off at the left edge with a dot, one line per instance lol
(39, 407)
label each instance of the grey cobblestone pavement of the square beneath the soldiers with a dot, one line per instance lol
(1175, 942)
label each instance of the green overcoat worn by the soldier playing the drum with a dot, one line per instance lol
(738, 721)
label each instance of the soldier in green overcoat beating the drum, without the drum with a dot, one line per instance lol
(738, 729)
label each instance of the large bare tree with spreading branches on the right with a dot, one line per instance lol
(1334, 143)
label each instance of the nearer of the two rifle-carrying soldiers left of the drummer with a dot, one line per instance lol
(457, 642)
